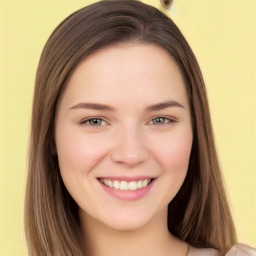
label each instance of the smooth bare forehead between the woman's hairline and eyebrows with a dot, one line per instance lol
(131, 72)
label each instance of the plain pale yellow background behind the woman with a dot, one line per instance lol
(222, 35)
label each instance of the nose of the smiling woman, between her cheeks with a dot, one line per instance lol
(129, 147)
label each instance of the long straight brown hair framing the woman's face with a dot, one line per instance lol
(199, 214)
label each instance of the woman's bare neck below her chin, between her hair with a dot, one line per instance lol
(151, 239)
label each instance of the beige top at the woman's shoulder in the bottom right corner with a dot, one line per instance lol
(236, 250)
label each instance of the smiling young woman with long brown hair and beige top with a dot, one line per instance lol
(122, 157)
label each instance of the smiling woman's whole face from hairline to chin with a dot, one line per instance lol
(123, 135)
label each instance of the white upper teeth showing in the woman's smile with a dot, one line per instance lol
(125, 185)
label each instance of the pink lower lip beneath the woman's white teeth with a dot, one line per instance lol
(130, 195)
